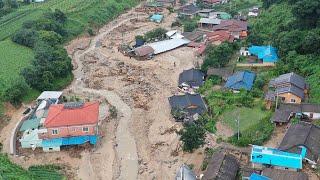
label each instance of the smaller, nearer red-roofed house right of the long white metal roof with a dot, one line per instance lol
(218, 37)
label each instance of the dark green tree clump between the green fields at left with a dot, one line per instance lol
(51, 62)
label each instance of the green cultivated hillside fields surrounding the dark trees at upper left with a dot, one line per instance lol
(82, 15)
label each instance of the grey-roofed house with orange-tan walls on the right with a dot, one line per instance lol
(287, 88)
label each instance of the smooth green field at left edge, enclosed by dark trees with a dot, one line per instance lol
(13, 58)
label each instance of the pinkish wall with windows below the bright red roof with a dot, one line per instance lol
(70, 131)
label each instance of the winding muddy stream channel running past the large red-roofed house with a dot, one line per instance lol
(126, 145)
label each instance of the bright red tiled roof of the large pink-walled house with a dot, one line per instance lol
(65, 115)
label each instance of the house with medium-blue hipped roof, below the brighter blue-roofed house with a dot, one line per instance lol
(241, 80)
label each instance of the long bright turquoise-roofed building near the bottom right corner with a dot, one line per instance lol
(274, 157)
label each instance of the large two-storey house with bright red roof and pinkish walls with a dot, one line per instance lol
(71, 119)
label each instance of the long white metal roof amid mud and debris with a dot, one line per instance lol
(167, 45)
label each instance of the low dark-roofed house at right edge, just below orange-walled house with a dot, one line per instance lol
(306, 112)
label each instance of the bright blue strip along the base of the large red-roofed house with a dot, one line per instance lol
(69, 141)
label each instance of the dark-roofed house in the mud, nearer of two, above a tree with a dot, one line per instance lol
(191, 105)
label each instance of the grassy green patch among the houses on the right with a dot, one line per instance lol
(247, 116)
